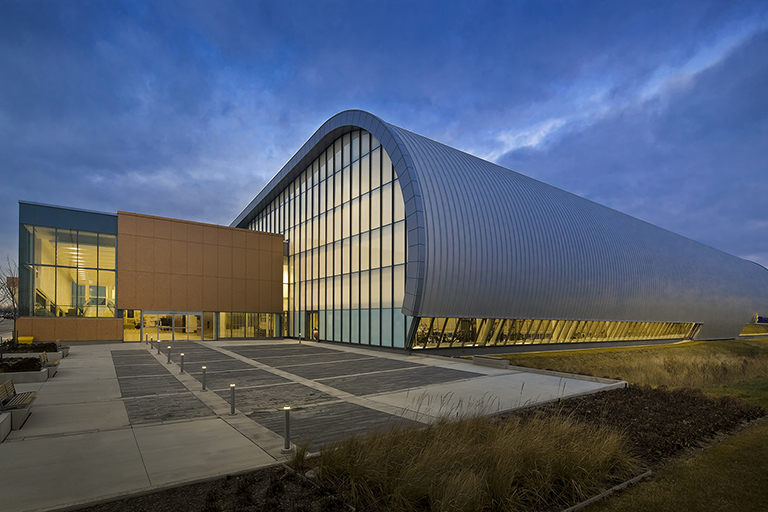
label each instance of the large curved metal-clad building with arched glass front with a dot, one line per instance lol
(493, 257)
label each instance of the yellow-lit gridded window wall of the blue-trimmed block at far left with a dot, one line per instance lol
(66, 272)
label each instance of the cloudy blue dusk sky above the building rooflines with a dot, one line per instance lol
(187, 109)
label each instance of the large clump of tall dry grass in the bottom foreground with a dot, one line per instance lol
(477, 464)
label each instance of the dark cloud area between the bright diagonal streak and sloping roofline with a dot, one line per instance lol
(693, 160)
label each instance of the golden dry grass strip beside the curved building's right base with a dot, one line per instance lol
(697, 364)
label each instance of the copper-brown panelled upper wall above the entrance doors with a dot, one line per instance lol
(188, 266)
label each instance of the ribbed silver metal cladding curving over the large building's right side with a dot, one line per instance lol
(501, 245)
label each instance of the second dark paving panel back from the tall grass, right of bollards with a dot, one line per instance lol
(274, 397)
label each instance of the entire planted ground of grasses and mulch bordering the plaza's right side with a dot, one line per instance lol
(692, 415)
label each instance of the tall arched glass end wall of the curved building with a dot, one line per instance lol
(344, 221)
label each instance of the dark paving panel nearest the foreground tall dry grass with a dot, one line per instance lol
(328, 422)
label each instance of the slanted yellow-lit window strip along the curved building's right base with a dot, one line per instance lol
(463, 332)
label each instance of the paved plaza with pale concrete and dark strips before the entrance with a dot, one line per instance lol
(117, 419)
